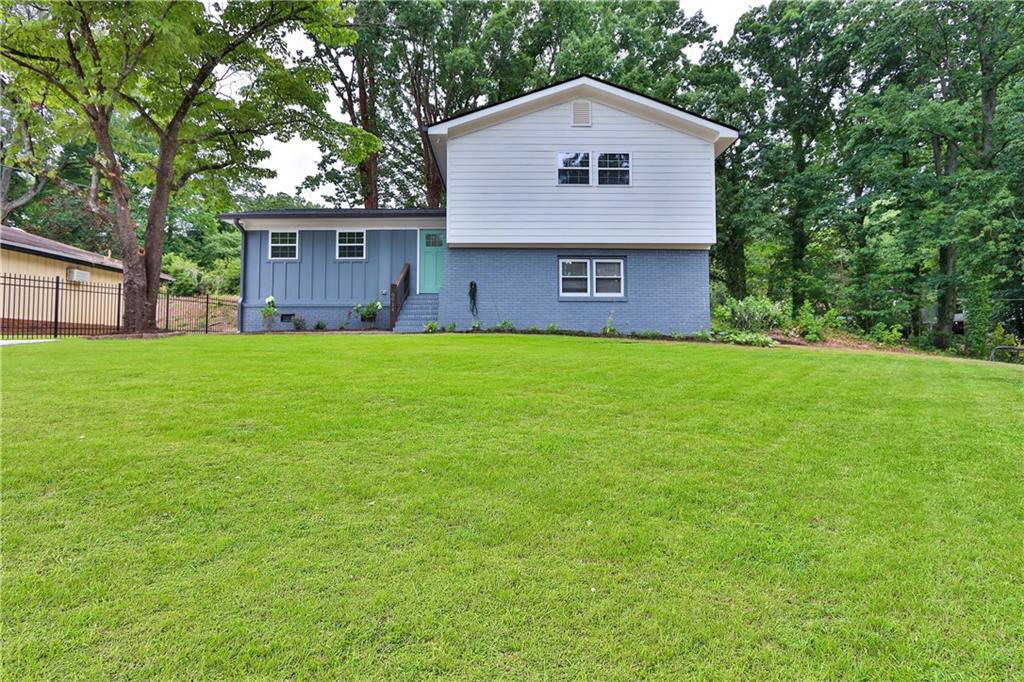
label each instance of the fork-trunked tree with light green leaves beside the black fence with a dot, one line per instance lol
(167, 69)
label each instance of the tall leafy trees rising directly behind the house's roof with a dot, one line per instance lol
(436, 60)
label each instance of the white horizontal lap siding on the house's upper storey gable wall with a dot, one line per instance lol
(500, 188)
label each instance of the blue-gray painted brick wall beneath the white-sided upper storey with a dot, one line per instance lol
(666, 290)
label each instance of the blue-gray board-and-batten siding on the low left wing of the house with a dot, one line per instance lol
(318, 286)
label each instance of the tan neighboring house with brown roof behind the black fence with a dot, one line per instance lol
(30, 270)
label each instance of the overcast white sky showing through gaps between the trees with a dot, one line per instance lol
(297, 159)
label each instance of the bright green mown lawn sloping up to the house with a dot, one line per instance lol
(508, 506)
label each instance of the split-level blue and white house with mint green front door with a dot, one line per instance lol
(570, 205)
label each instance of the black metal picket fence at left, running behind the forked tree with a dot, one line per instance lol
(39, 307)
